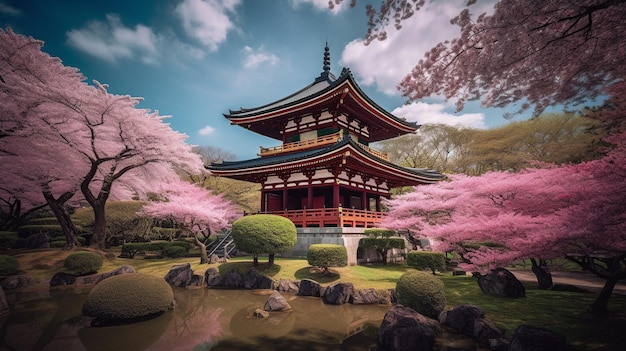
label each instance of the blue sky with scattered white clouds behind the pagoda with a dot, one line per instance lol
(196, 59)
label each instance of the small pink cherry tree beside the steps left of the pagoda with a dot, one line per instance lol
(194, 209)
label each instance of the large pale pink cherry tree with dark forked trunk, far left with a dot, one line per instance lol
(76, 138)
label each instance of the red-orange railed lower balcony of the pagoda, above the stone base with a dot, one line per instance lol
(332, 217)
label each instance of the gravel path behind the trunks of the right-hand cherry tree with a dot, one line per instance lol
(583, 280)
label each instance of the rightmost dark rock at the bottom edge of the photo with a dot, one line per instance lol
(529, 338)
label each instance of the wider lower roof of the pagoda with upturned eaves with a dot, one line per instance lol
(358, 159)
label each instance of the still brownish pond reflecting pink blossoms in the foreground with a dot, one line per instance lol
(203, 319)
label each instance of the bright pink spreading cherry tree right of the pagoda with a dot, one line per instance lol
(573, 211)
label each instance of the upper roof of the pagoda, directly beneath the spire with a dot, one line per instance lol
(328, 93)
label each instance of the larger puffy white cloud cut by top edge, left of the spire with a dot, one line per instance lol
(207, 20)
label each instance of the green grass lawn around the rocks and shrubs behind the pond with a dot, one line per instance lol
(563, 312)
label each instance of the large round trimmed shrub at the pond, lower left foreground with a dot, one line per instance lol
(128, 297)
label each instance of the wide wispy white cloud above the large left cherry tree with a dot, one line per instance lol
(112, 40)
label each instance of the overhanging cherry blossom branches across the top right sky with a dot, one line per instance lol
(531, 52)
